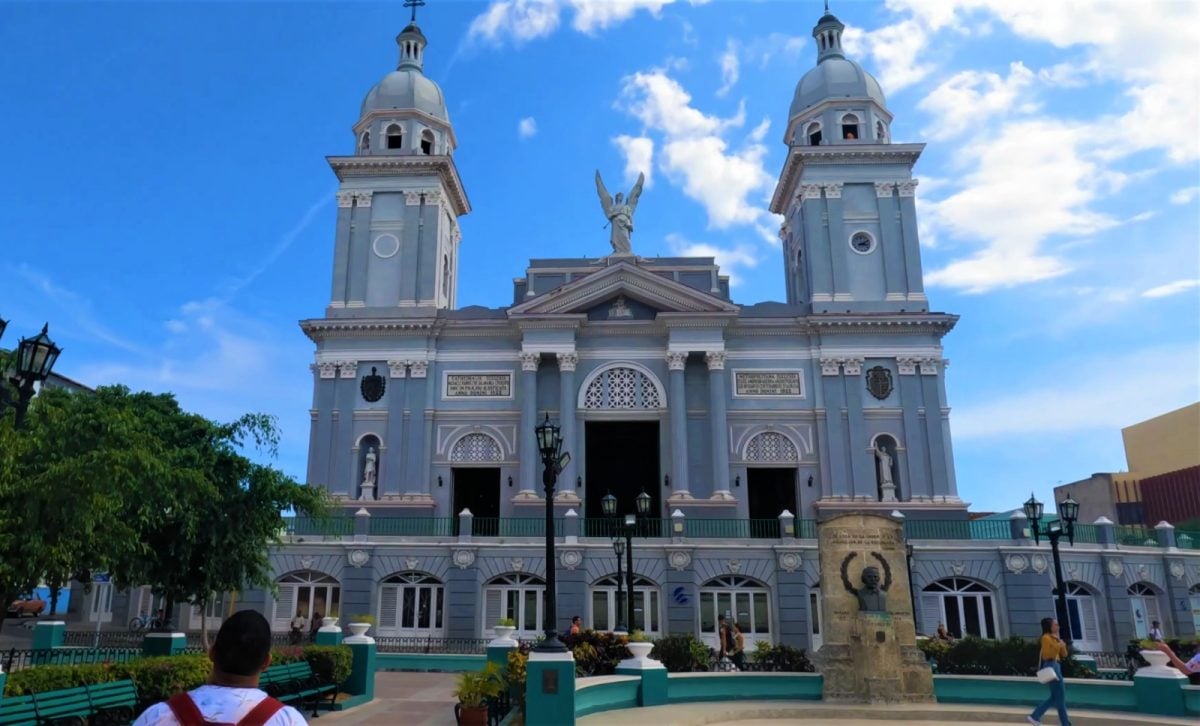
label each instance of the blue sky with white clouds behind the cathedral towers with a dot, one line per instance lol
(169, 211)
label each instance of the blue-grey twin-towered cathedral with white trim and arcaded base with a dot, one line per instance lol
(743, 424)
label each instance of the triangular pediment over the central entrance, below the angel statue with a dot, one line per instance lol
(626, 281)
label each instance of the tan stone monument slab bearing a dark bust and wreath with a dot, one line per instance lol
(868, 657)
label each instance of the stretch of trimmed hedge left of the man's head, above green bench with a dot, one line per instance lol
(157, 679)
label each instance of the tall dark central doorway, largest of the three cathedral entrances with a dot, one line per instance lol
(623, 460)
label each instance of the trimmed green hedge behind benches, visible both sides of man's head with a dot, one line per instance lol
(159, 679)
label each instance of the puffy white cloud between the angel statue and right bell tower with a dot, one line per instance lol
(697, 157)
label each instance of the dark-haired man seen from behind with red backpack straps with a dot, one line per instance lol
(232, 697)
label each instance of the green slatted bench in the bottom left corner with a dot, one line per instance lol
(103, 704)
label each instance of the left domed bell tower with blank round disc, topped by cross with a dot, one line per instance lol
(400, 197)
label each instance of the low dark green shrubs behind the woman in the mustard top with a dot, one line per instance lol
(1009, 657)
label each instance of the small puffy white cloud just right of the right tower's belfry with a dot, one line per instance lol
(964, 101)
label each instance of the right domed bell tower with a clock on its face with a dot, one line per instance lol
(847, 191)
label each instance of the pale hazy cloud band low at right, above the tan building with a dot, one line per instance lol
(1077, 397)
